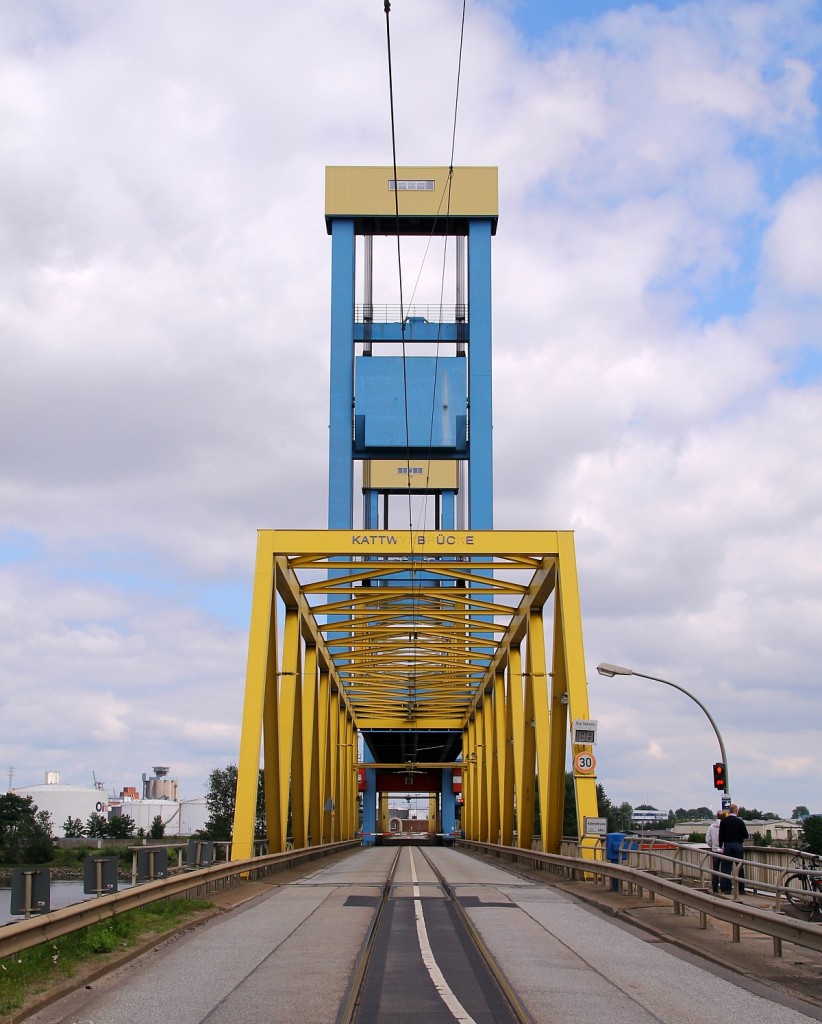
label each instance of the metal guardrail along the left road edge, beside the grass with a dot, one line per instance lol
(48, 927)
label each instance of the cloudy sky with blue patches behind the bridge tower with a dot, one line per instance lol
(164, 337)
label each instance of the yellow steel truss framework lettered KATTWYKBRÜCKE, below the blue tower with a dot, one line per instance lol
(439, 630)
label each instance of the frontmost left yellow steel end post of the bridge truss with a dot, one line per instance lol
(262, 679)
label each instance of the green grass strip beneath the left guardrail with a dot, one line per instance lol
(36, 970)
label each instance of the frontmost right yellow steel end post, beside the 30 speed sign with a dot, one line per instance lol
(570, 676)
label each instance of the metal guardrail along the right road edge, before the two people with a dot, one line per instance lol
(739, 915)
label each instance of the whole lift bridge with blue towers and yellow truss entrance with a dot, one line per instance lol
(446, 659)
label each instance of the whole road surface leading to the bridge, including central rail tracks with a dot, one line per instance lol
(376, 935)
